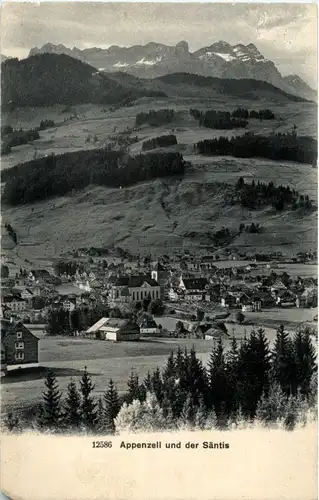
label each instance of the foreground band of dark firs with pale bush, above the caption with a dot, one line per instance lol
(248, 381)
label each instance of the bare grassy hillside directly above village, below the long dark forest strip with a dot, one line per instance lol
(166, 215)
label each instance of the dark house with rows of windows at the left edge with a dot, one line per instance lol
(19, 345)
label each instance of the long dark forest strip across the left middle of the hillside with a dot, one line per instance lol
(57, 175)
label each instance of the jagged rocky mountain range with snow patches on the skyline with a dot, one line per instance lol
(152, 60)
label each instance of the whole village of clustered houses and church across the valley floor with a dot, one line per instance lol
(110, 295)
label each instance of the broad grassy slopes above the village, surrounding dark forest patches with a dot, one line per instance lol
(156, 215)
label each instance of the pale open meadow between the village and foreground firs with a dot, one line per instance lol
(67, 357)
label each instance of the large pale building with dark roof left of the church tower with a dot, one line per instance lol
(139, 287)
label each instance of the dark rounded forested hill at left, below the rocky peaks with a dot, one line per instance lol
(48, 79)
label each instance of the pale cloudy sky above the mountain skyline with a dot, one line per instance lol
(285, 33)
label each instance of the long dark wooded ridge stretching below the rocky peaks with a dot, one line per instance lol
(49, 79)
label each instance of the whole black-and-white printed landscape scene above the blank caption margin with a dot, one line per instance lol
(158, 220)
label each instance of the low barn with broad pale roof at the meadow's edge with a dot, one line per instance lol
(115, 329)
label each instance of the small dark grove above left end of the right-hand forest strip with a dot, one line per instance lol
(221, 120)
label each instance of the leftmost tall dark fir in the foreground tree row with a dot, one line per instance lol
(50, 415)
